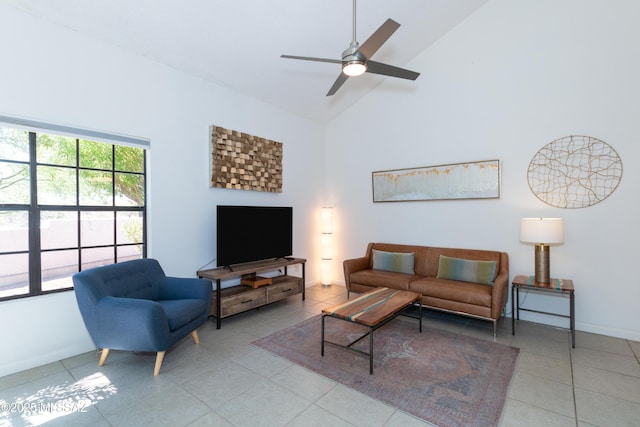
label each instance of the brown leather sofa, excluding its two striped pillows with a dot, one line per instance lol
(466, 298)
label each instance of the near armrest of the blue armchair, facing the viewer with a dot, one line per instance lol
(131, 324)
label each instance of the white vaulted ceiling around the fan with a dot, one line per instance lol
(238, 43)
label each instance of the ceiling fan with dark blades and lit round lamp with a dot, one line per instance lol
(356, 58)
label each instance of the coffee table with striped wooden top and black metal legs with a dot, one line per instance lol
(373, 310)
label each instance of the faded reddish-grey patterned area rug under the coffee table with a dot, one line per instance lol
(444, 378)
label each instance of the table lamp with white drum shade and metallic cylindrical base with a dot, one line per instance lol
(542, 232)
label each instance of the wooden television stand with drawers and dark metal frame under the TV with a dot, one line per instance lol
(237, 299)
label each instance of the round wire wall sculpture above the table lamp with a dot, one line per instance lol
(574, 172)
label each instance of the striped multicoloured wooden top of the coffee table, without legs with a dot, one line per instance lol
(373, 307)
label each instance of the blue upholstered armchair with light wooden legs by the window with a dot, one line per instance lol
(133, 306)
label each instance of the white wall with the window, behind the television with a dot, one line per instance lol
(54, 75)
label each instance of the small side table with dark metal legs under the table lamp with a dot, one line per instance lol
(557, 286)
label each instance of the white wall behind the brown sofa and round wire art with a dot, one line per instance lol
(513, 77)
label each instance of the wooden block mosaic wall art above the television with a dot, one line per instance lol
(245, 162)
